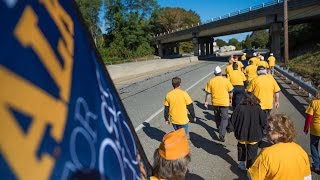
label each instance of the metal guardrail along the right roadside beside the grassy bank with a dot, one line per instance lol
(307, 86)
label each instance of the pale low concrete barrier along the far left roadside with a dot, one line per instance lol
(136, 68)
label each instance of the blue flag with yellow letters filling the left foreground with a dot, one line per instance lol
(60, 114)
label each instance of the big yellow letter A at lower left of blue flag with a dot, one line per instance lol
(20, 148)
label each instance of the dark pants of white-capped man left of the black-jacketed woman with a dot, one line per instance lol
(221, 114)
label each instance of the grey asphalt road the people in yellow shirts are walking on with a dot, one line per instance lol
(211, 159)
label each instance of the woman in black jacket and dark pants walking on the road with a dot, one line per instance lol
(248, 122)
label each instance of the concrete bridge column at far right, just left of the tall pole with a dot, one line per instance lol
(275, 32)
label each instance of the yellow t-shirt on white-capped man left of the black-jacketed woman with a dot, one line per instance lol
(219, 88)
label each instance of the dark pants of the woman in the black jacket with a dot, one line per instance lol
(248, 153)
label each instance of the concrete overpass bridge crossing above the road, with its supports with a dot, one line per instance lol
(265, 16)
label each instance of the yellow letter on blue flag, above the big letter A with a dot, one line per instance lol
(29, 35)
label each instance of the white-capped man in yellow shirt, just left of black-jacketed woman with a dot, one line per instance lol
(220, 90)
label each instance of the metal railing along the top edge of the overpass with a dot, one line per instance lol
(253, 8)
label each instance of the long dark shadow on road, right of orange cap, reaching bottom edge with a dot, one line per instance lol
(216, 149)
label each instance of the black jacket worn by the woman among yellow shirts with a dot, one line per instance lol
(248, 123)
